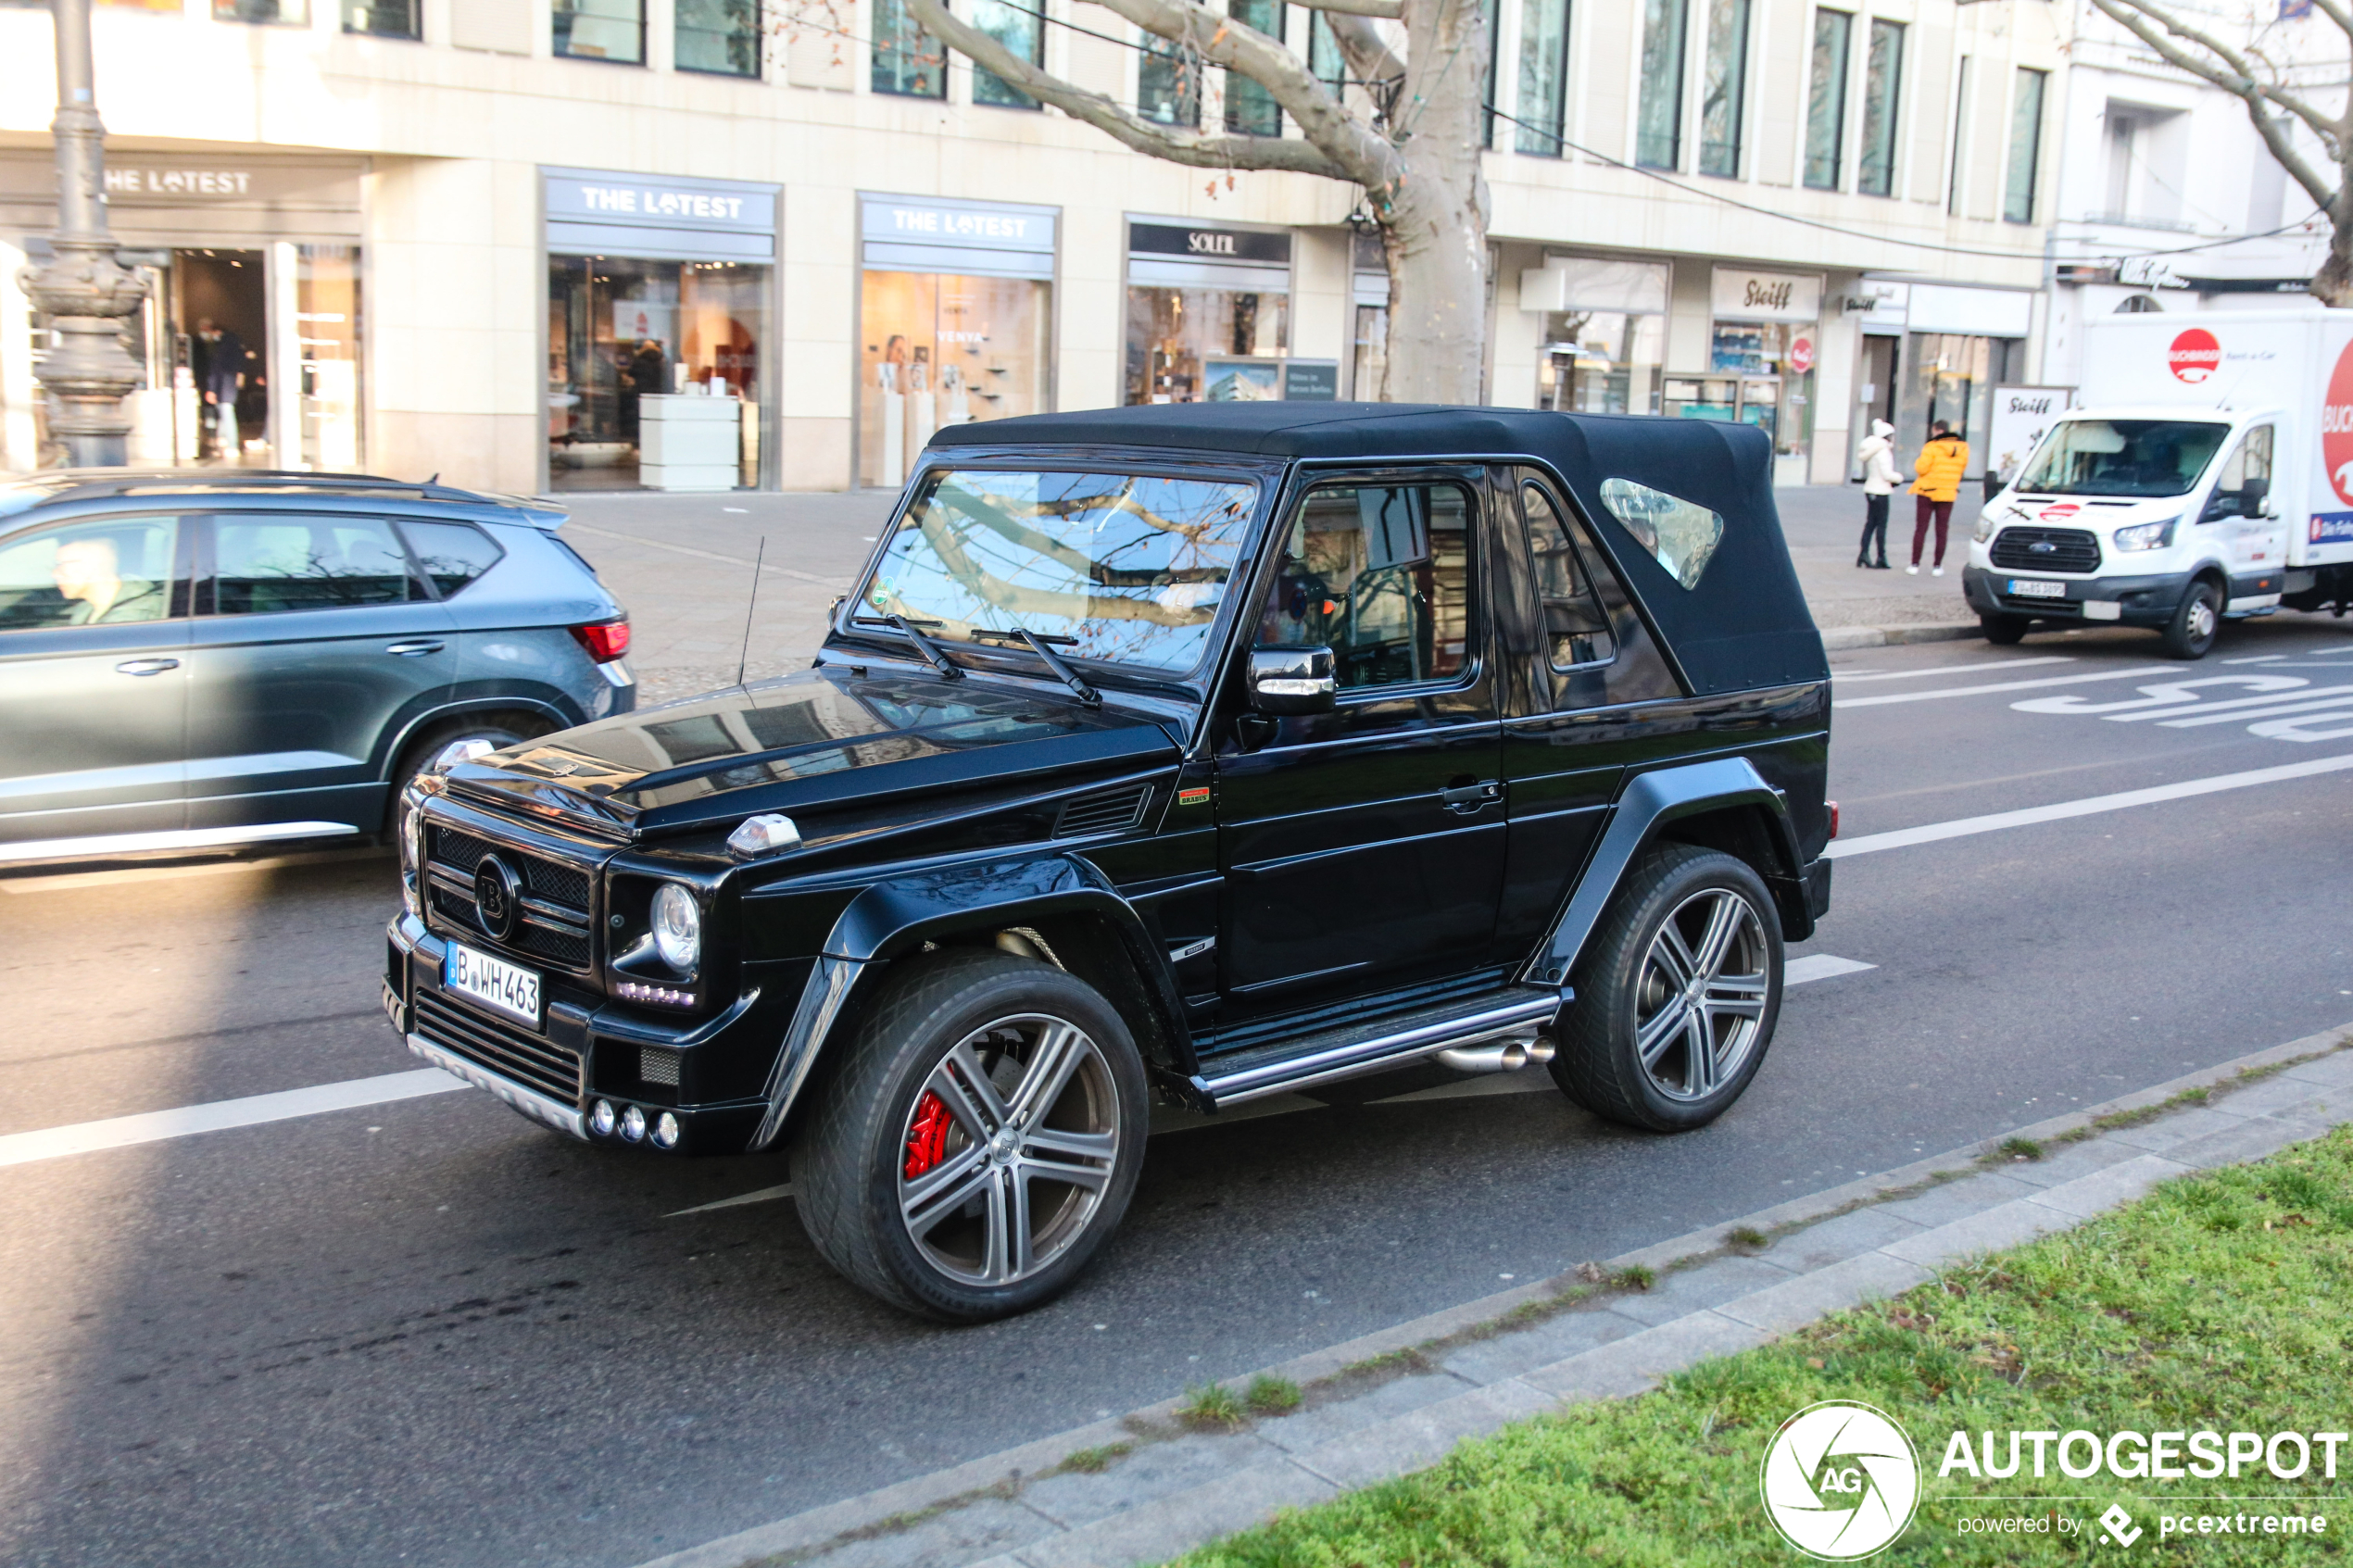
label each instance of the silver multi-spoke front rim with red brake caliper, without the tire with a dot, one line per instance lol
(1008, 1148)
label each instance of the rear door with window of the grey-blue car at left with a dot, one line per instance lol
(314, 638)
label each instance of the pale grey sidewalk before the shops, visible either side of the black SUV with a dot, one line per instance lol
(684, 570)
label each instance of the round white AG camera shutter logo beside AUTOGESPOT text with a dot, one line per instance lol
(1841, 1480)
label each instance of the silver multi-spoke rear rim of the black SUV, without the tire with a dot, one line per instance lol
(1702, 996)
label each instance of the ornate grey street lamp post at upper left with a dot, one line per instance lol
(84, 290)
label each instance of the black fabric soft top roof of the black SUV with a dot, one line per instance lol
(1742, 626)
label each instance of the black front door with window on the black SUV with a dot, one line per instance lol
(1364, 850)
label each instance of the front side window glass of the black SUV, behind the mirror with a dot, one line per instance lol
(1382, 577)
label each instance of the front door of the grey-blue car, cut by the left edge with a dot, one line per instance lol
(93, 681)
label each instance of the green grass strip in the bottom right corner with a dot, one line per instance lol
(2222, 1301)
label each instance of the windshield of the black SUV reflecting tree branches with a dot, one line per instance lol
(1105, 565)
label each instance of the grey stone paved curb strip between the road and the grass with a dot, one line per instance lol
(1472, 1369)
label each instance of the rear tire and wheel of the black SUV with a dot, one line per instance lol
(1622, 989)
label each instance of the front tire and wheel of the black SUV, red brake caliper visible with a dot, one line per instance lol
(855, 1162)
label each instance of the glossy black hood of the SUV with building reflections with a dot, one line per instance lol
(804, 744)
